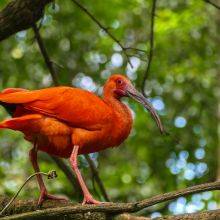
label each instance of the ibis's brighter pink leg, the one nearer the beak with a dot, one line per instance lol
(88, 199)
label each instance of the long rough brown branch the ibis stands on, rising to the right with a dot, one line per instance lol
(112, 208)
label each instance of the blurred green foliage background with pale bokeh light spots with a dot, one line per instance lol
(183, 85)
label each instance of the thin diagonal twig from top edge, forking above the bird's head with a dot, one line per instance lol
(106, 30)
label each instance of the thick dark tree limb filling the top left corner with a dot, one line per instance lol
(19, 15)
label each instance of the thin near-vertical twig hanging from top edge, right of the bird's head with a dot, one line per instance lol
(151, 52)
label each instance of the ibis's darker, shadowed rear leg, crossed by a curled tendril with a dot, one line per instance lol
(43, 191)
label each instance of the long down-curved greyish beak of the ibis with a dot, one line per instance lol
(133, 93)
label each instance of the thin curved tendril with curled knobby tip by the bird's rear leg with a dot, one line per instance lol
(51, 175)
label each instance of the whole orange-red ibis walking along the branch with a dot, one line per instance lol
(66, 122)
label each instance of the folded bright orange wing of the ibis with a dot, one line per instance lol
(77, 107)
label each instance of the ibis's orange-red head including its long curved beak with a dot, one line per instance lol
(120, 86)
